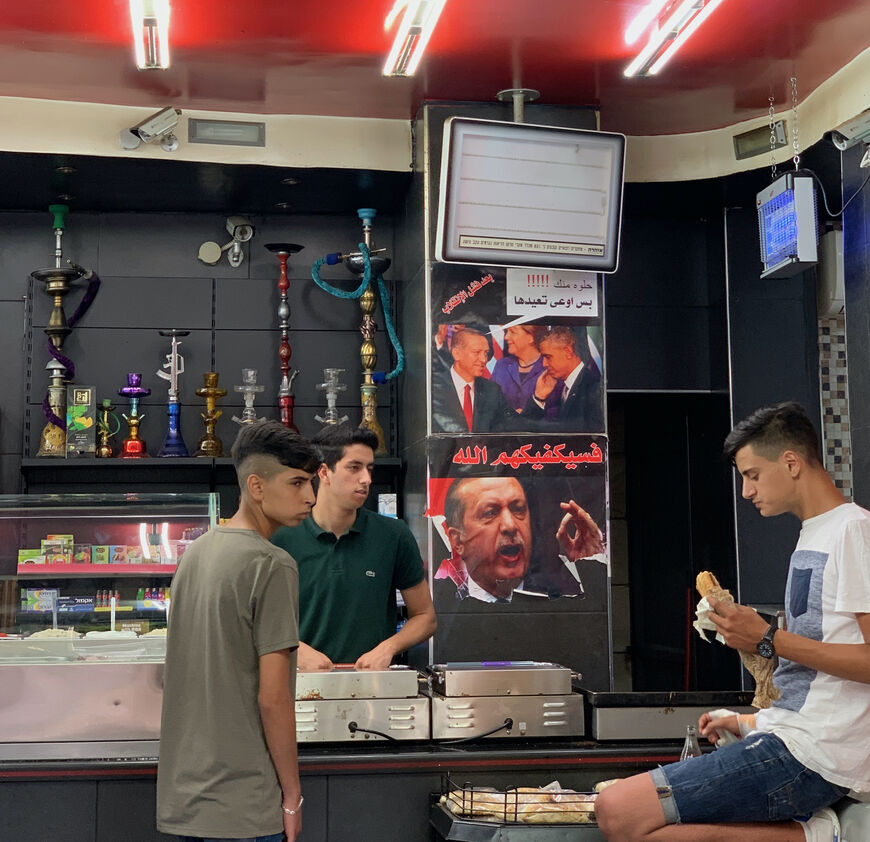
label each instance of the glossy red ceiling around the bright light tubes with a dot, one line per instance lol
(324, 57)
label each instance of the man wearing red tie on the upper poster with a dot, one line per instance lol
(463, 400)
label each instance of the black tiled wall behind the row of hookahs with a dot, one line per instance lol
(152, 279)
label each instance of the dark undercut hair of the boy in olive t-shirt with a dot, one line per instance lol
(265, 448)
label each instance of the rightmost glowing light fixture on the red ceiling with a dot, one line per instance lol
(669, 32)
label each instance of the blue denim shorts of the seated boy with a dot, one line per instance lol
(754, 780)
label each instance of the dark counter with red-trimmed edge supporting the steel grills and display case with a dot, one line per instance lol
(379, 792)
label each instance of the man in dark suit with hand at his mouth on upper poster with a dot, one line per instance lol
(568, 366)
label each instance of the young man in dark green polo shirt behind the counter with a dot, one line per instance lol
(351, 562)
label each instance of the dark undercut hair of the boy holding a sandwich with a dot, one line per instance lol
(771, 430)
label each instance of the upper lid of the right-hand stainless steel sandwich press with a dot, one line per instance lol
(501, 678)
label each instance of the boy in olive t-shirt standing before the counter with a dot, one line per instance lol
(228, 766)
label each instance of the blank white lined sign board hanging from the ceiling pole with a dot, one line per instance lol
(519, 195)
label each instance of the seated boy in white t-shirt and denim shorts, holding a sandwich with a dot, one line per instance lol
(808, 750)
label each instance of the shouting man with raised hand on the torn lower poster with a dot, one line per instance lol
(489, 527)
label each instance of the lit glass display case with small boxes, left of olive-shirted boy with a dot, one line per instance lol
(85, 591)
